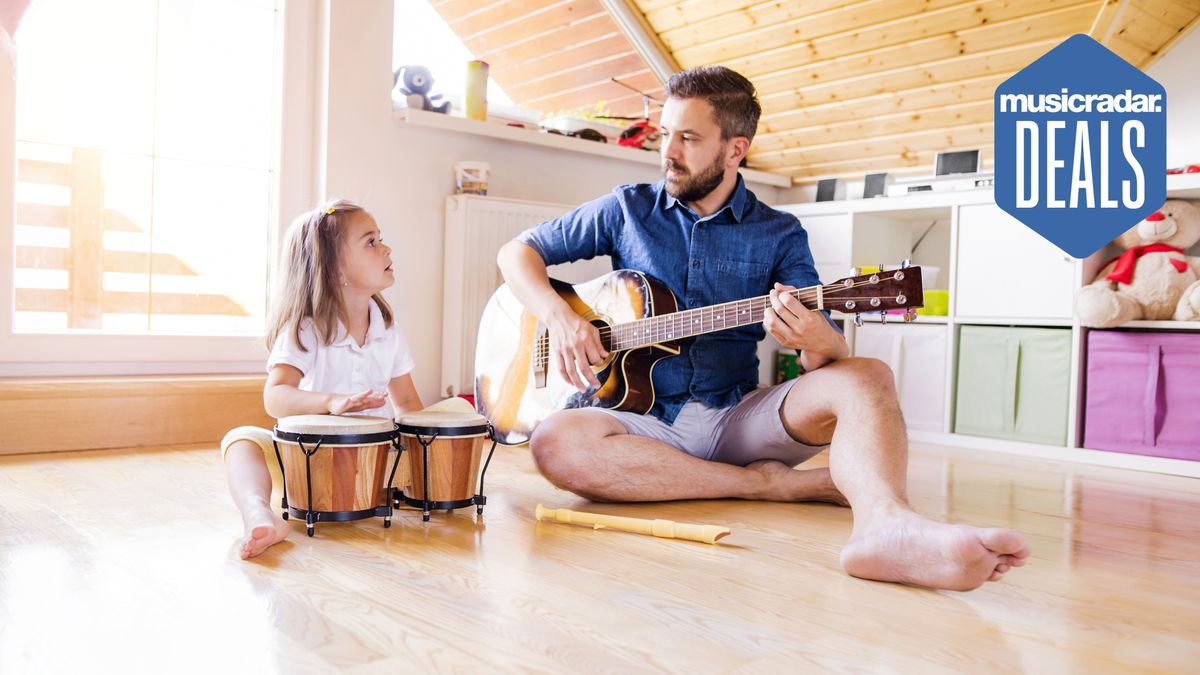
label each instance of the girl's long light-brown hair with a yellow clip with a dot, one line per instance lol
(309, 284)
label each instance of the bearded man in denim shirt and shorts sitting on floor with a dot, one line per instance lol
(712, 434)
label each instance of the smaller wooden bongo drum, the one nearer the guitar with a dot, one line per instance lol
(445, 449)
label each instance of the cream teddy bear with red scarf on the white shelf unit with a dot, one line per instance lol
(1154, 279)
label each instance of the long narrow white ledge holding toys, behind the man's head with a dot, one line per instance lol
(502, 132)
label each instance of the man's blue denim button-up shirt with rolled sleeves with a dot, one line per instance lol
(735, 254)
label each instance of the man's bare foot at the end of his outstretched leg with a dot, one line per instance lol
(909, 548)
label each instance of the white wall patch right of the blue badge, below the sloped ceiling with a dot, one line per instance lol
(1177, 71)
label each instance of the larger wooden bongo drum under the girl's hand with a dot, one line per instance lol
(335, 468)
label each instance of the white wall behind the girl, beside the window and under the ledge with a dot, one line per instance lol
(404, 174)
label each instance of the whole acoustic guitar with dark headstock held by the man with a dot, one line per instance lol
(640, 324)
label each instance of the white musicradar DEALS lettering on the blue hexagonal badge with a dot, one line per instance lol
(1083, 177)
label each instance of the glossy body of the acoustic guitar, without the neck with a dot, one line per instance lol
(517, 390)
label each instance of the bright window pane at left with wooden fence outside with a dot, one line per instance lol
(147, 145)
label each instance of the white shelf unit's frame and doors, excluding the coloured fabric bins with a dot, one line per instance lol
(991, 285)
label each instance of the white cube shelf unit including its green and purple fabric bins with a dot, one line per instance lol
(1010, 367)
